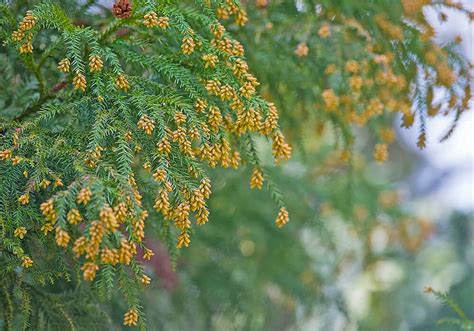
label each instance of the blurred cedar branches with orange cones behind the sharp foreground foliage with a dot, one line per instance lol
(344, 65)
